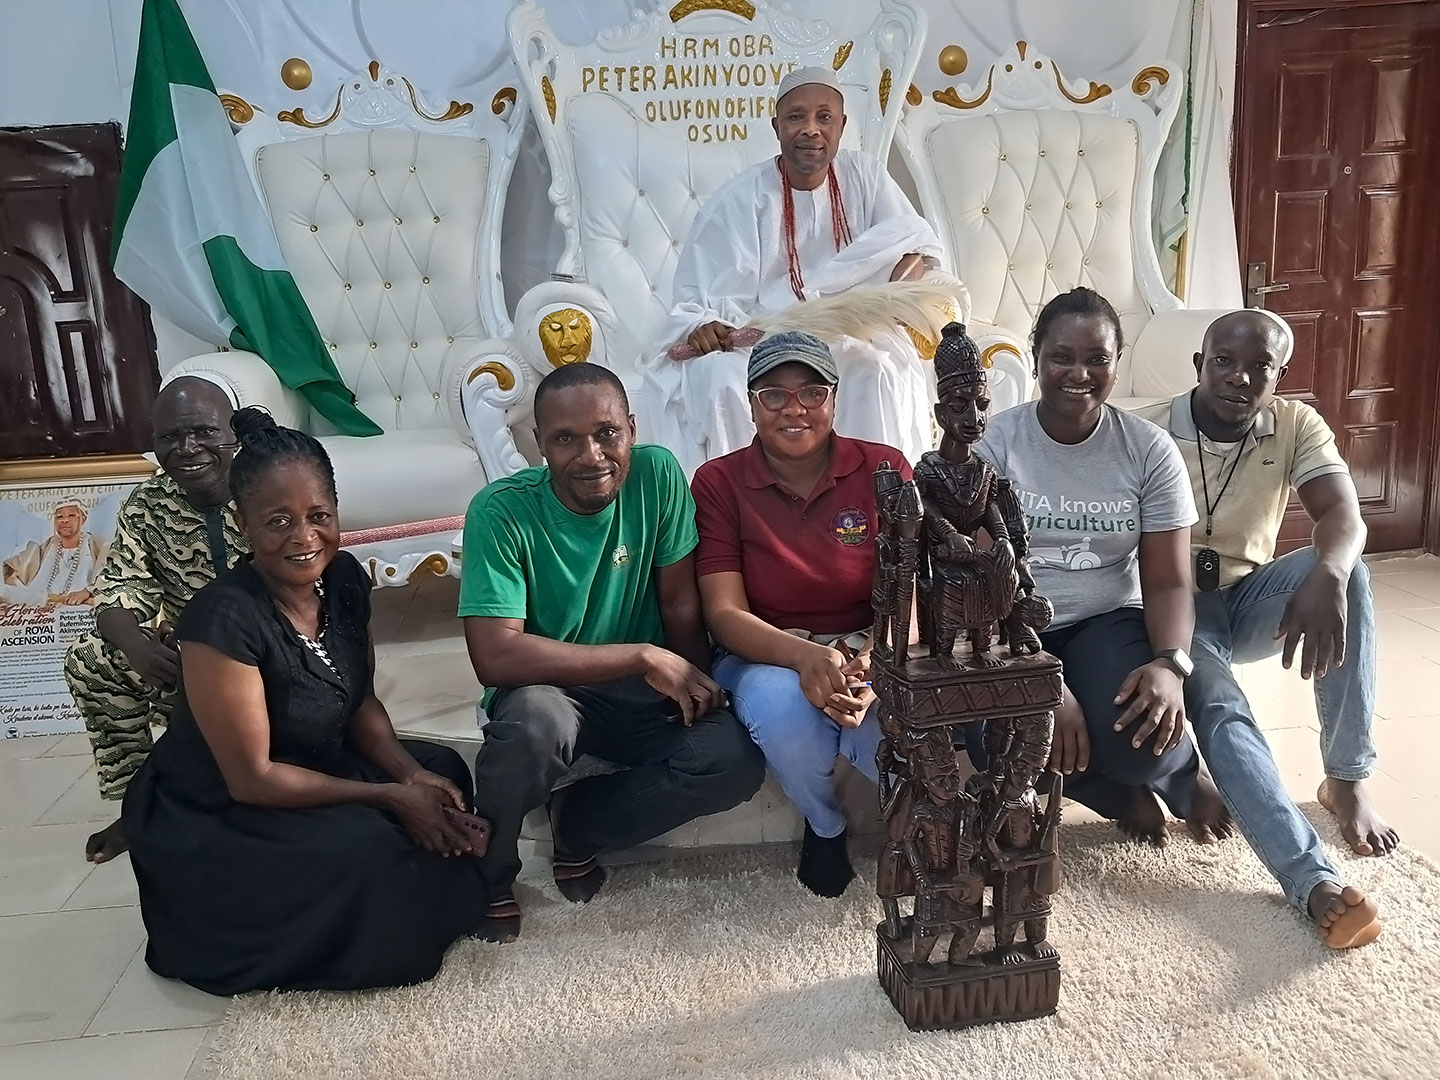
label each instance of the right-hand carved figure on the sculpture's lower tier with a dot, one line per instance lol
(1023, 839)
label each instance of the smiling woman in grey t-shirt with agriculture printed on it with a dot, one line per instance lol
(1110, 509)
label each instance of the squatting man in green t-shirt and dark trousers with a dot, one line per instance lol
(582, 618)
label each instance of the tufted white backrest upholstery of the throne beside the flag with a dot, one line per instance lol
(382, 233)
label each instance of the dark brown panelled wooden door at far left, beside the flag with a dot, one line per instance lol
(77, 351)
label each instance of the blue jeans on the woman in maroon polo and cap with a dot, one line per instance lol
(800, 742)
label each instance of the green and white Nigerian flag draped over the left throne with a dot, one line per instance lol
(192, 237)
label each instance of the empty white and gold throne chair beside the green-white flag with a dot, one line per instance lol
(388, 214)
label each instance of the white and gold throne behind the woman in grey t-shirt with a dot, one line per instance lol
(1039, 184)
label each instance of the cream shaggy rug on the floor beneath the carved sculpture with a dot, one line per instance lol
(1177, 964)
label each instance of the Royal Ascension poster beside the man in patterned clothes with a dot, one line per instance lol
(54, 539)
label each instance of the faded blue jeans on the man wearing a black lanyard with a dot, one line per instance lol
(1239, 624)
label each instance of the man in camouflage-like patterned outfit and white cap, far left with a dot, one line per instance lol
(176, 535)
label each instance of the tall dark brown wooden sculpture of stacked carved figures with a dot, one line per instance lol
(953, 542)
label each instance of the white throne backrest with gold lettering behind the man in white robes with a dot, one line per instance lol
(647, 122)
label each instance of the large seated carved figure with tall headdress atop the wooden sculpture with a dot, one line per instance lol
(971, 588)
